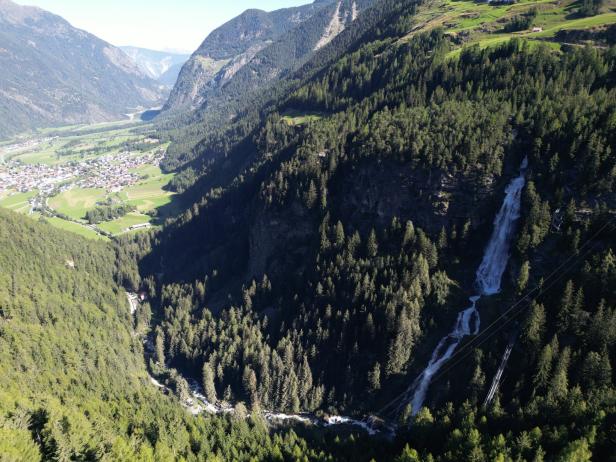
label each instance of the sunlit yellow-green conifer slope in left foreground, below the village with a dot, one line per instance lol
(73, 383)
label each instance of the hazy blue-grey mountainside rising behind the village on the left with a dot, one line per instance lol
(52, 73)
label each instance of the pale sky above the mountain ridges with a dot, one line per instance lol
(155, 24)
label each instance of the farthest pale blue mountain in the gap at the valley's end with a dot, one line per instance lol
(159, 65)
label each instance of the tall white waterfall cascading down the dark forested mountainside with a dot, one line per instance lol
(487, 280)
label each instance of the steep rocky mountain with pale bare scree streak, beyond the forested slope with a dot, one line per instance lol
(257, 47)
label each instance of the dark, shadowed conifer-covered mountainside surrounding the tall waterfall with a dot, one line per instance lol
(331, 247)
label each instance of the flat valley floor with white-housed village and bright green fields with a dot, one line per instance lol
(62, 177)
